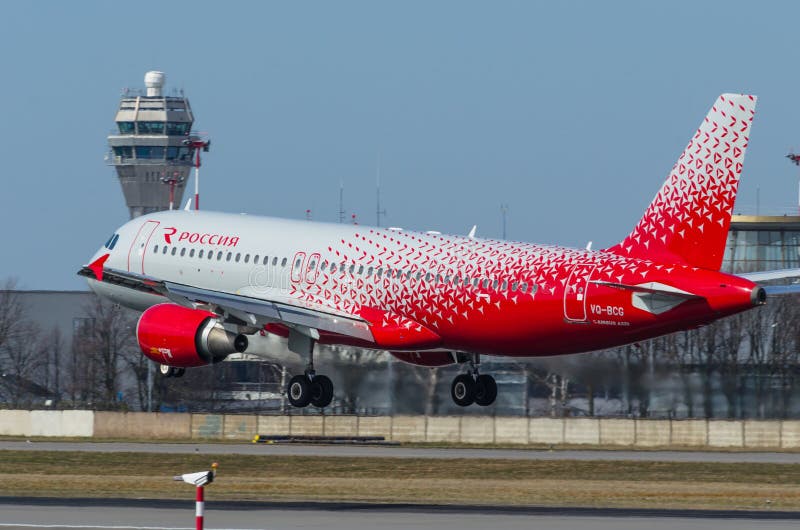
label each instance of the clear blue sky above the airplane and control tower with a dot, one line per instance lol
(572, 113)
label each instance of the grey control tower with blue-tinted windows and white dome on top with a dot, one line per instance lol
(152, 149)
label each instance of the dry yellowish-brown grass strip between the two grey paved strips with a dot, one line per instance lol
(633, 484)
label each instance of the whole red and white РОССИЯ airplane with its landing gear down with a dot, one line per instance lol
(211, 283)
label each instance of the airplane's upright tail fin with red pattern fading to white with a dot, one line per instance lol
(688, 220)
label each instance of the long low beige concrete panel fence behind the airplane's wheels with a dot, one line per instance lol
(588, 432)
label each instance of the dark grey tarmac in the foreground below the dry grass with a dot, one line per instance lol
(173, 515)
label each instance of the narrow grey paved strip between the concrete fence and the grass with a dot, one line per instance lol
(404, 452)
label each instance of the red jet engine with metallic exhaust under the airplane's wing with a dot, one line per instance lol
(178, 336)
